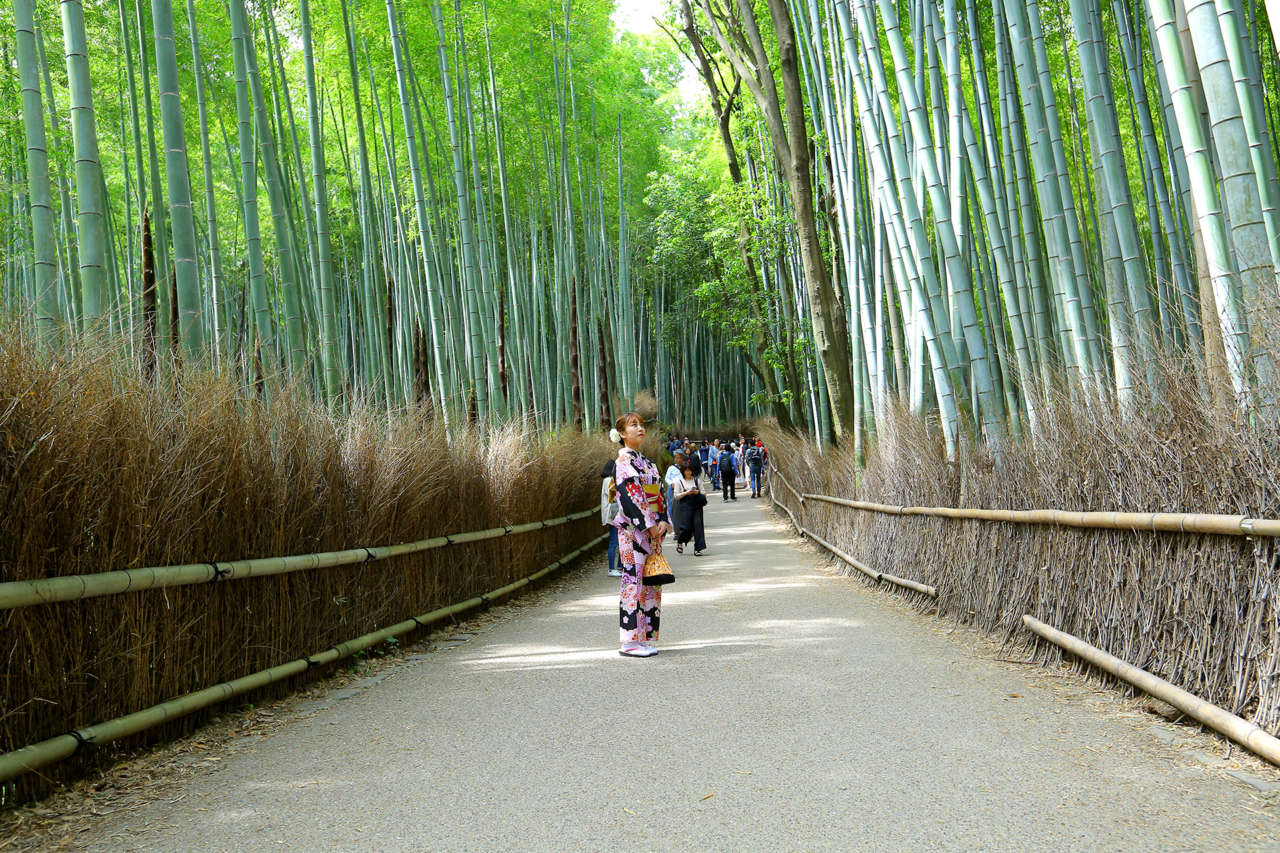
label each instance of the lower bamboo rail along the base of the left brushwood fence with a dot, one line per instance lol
(57, 749)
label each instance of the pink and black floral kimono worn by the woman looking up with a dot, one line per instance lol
(641, 492)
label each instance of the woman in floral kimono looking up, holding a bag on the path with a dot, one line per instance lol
(643, 524)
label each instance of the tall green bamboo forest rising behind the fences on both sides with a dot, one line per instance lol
(509, 208)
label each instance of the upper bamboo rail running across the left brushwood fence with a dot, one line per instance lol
(22, 594)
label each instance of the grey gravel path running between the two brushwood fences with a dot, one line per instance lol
(790, 709)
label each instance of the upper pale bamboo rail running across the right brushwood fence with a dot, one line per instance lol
(1235, 526)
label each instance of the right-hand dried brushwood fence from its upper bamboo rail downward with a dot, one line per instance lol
(982, 576)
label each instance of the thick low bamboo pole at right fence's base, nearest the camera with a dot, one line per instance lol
(1242, 732)
